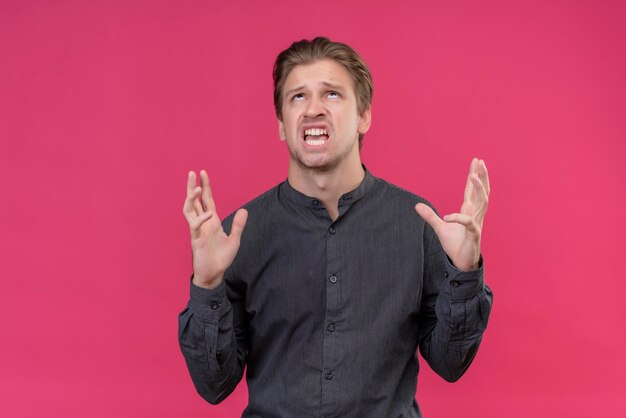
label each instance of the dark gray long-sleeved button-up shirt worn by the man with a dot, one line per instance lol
(327, 316)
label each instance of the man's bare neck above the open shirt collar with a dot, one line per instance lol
(327, 185)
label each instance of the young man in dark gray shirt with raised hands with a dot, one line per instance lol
(338, 276)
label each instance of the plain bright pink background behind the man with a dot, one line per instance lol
(105, 106)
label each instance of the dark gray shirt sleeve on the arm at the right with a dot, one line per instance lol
(454, 314)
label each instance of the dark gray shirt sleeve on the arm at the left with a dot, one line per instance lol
(208, 341)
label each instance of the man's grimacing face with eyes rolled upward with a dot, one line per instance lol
(321, 123)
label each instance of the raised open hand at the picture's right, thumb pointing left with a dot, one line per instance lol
(459, 233)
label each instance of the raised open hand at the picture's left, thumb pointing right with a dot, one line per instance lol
(213, 251)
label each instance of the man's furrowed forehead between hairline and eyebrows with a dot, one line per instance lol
(318, 73)
